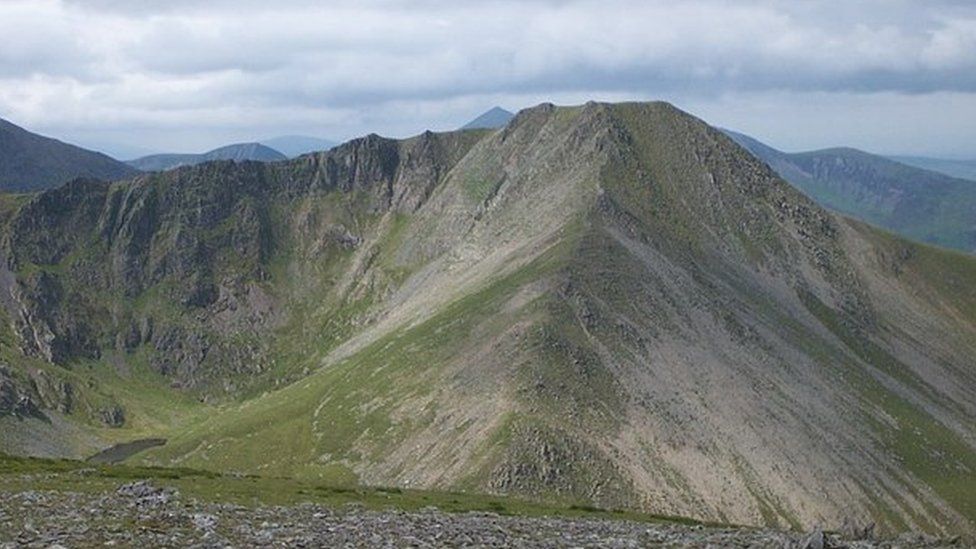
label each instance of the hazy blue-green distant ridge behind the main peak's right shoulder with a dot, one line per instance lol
(916, 203)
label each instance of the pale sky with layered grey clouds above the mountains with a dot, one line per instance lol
(131, 76)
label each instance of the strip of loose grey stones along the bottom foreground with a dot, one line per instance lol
(140, 514)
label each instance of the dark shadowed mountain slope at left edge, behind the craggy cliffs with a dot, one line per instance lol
(30, 162)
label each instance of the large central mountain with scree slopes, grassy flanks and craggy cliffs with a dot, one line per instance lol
(608, 303)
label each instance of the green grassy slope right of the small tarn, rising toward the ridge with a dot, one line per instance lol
(342, 414)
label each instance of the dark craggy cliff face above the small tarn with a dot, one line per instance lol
(180, 262)
